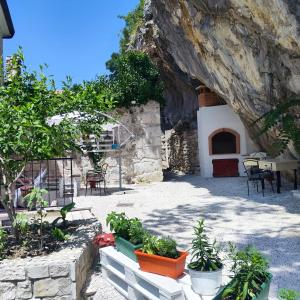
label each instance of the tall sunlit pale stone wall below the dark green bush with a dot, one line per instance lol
(141, 158)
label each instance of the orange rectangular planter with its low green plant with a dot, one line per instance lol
(160, 256)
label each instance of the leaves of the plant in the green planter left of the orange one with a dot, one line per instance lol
(129, 229)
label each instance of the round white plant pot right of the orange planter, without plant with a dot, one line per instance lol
(206, 283)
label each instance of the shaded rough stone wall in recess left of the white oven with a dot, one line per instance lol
(180, 149)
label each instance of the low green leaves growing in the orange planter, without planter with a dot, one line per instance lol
(163, 247)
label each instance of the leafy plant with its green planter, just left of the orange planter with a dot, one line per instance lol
(128, 233)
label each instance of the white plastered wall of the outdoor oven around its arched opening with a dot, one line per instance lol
(211, 119)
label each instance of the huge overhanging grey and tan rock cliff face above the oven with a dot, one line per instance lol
(247, 51)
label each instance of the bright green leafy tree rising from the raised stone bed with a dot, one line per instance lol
(27, 101)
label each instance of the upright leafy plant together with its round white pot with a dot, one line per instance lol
(205, 268)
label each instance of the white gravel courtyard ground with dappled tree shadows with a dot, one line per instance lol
(271, 223)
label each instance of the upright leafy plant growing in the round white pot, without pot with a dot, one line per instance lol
(205, 255)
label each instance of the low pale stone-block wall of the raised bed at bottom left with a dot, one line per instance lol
(59, 275)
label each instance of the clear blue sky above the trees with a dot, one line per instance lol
(74, 37)
